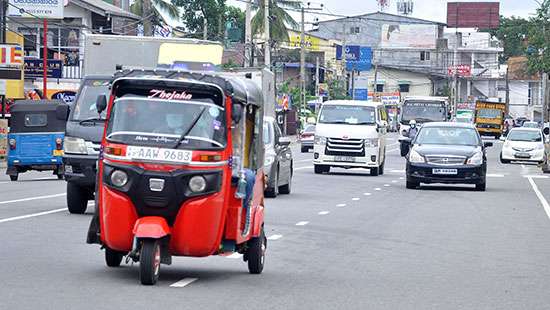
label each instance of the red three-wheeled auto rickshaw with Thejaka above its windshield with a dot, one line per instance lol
(180, 171)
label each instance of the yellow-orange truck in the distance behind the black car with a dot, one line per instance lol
(490, 118)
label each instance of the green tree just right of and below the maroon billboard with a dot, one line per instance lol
(512, 32)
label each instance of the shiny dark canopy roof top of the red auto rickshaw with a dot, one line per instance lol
(243, 90)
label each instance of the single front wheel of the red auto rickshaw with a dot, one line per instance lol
(149, 262)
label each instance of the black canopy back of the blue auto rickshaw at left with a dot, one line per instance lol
(21, 108)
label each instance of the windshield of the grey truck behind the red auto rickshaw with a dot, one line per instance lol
(85, 105)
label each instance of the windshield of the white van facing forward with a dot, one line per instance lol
(348, 114)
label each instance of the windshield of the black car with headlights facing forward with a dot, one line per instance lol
(447, 136)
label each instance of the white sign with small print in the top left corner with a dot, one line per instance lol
(51, 9)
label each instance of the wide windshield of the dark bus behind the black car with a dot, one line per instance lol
(423, 111)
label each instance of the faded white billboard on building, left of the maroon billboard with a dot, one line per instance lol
(409, 36)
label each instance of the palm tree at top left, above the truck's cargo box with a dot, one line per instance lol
(150, 9)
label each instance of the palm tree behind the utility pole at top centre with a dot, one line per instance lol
(279, 18)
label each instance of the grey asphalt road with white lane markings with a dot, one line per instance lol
(340, 241)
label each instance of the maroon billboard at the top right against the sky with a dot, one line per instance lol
(473, 15)
